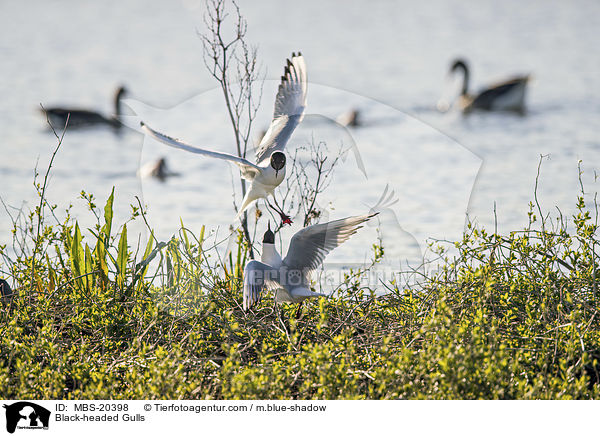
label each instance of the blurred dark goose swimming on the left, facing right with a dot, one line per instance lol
(85, 118)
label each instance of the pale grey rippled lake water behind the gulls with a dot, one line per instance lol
(388, 59)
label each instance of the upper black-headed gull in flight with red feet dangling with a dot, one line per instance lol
(269, 170)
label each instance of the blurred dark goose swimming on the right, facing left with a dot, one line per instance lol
(508, 95)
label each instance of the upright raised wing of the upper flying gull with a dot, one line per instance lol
(289, 108)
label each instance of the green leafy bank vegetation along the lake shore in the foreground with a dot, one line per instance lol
(94, 315)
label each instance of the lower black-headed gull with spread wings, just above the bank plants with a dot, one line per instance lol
(289, 278)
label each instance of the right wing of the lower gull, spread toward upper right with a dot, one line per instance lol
(310, 245)
